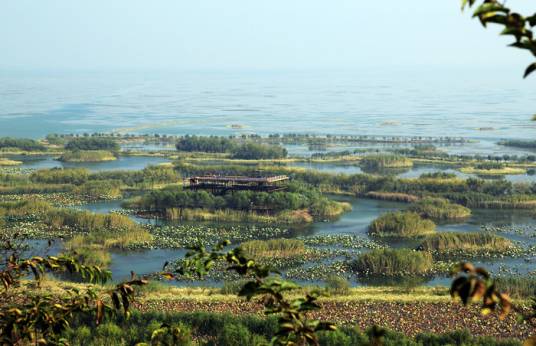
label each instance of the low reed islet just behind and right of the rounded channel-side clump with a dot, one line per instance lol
(440, 209)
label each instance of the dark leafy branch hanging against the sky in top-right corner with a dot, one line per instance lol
(515, 24)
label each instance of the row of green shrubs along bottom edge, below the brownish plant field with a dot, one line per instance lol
(230, 330)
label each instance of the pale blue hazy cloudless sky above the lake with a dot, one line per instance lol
(247, 34)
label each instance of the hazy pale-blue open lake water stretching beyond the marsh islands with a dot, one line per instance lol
(417, 102)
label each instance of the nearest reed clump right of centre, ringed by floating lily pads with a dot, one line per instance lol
(393, 262)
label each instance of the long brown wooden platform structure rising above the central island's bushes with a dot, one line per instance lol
(222, 184)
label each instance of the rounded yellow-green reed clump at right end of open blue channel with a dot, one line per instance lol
(401, 225)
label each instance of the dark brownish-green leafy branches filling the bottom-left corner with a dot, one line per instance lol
(42, 319)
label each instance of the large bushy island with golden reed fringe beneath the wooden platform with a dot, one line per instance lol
(299, 204)
